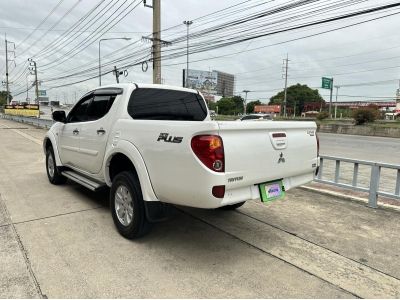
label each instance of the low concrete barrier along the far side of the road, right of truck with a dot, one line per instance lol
(360, 130)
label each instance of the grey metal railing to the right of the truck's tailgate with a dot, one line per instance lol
(374, 181)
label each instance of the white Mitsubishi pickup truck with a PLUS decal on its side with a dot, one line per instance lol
(155, 145)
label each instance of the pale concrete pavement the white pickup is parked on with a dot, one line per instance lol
(60, 241)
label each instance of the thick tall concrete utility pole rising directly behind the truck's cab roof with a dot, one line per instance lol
(157, 41)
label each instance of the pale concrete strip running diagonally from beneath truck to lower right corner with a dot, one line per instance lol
(345, 273)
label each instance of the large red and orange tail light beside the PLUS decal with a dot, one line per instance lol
(210, 150)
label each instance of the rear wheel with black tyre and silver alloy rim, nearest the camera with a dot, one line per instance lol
(127, 206)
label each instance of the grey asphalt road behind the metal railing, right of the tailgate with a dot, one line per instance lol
(361, 147)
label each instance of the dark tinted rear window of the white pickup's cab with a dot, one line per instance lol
(161, 104)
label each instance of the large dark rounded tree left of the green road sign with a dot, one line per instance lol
(297, 95)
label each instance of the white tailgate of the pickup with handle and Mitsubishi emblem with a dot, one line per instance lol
(258, 152)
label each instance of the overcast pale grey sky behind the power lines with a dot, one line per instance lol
(366, 55)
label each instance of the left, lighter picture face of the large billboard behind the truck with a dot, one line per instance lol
(204, 81)
